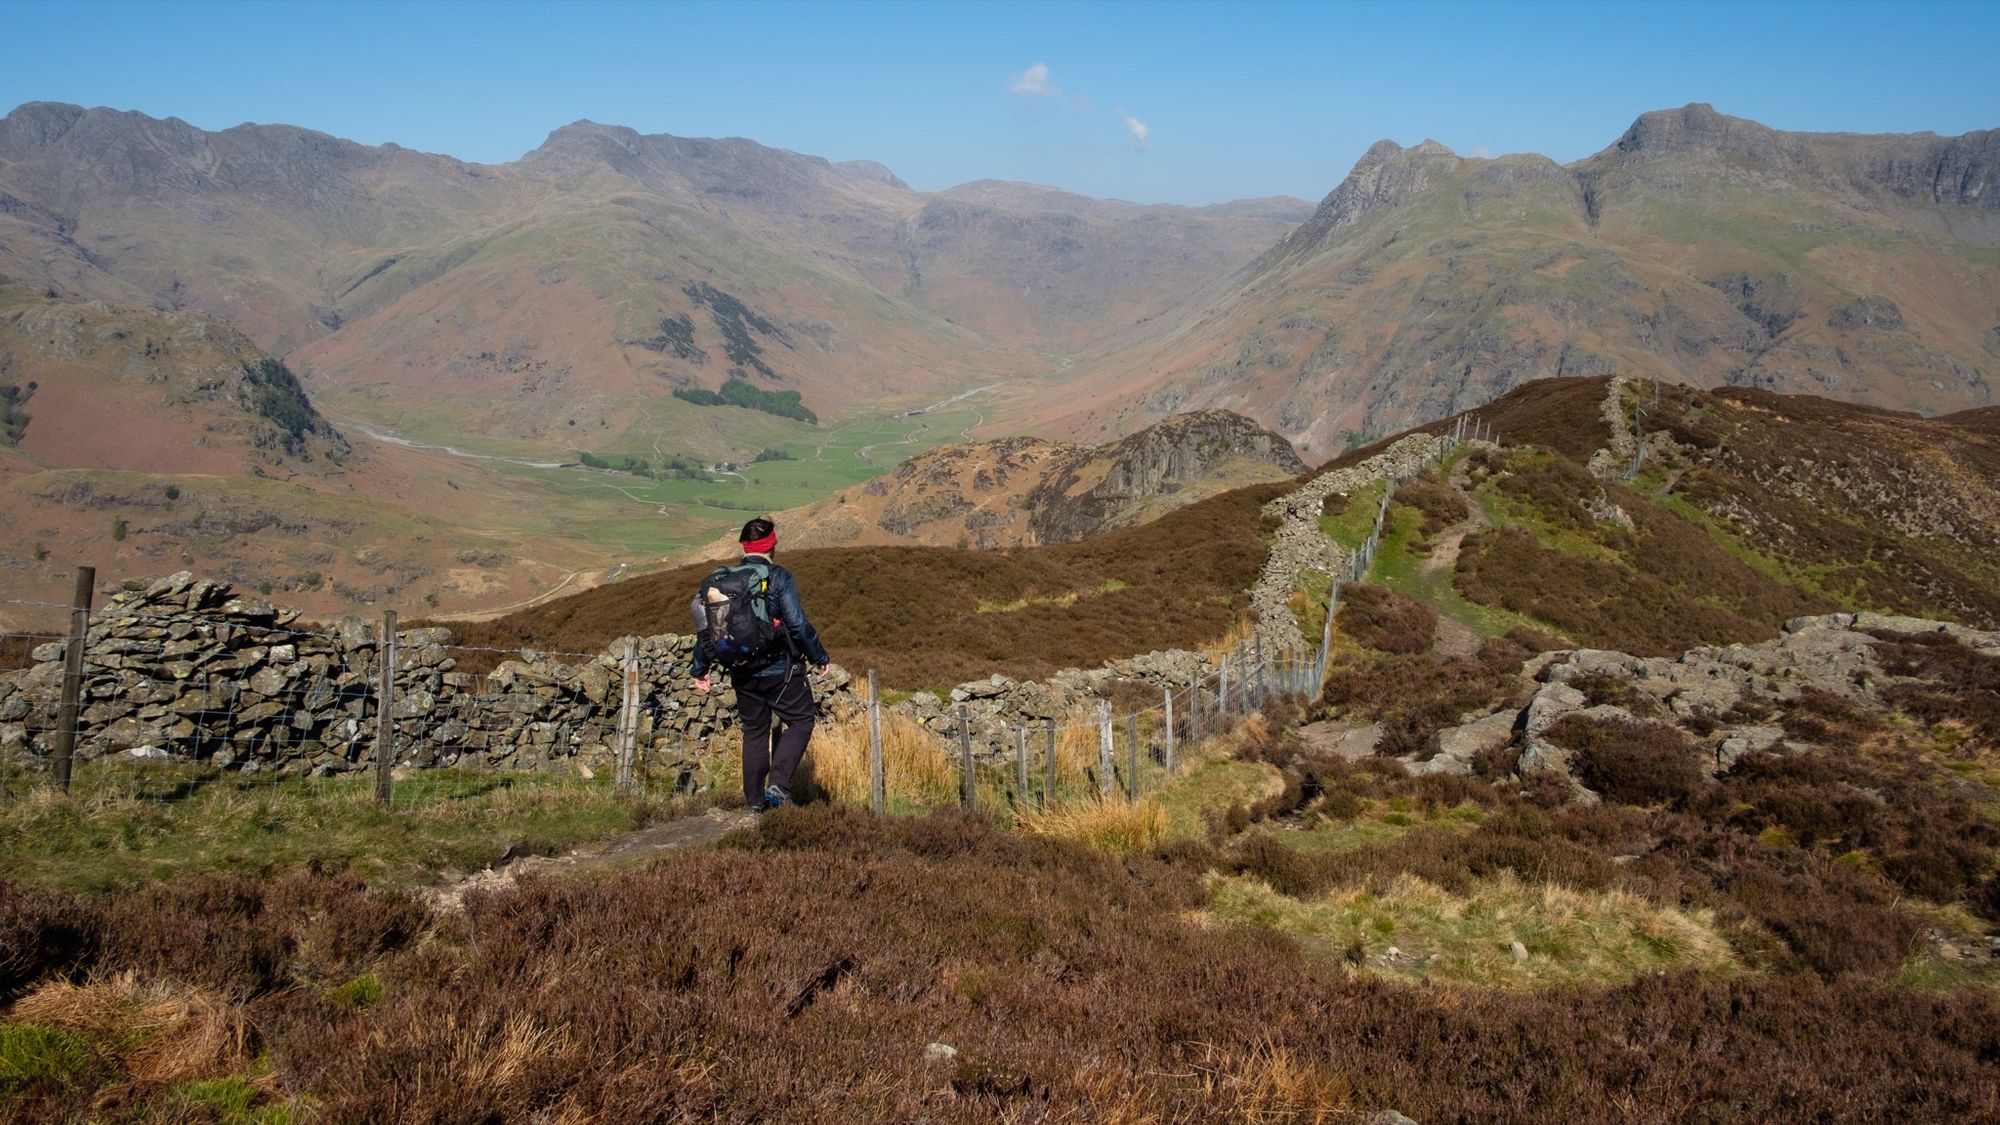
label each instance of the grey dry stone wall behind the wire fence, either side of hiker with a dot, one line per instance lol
(189, 670)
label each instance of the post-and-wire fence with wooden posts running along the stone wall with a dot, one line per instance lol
(147, 702)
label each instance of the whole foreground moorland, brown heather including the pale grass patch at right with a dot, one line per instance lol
(1333, 948)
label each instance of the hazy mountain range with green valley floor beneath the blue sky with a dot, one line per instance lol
(565, 367)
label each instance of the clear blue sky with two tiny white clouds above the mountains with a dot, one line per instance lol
(1157, 103)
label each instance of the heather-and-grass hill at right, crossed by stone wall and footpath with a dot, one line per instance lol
(1749, 511)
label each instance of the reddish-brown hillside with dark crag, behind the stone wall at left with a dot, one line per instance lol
(143, 441)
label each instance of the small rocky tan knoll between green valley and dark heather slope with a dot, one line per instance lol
(1025, 491)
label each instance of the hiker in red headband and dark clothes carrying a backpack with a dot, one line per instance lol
(753, 628)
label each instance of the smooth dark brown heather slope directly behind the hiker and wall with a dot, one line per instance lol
(913, 612)
